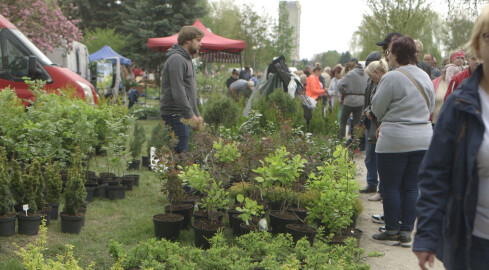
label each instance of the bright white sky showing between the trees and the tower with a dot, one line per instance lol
(325, 24)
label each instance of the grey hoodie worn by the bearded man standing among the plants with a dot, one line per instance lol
(178, 90)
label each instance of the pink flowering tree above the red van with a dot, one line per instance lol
(42, 22)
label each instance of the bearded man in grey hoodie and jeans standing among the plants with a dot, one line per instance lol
(178, 87)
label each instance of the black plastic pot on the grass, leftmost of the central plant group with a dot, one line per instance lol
(167, 225)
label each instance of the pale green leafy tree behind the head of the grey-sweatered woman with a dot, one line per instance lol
(413, 18)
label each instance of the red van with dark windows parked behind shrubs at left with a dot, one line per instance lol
(20, 57)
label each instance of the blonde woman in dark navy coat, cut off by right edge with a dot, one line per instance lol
(453, 207)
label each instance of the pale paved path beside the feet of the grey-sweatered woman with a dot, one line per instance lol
(396, 258)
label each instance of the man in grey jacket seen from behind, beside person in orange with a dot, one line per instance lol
(352, 87)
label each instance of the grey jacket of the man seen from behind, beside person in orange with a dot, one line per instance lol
(352, 86)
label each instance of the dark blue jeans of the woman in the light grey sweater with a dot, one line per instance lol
(399, 177)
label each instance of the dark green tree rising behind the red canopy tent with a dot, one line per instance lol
(155, 18)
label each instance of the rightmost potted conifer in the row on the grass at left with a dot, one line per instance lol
(75, 193)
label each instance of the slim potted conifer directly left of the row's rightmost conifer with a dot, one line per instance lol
(54, 186)
